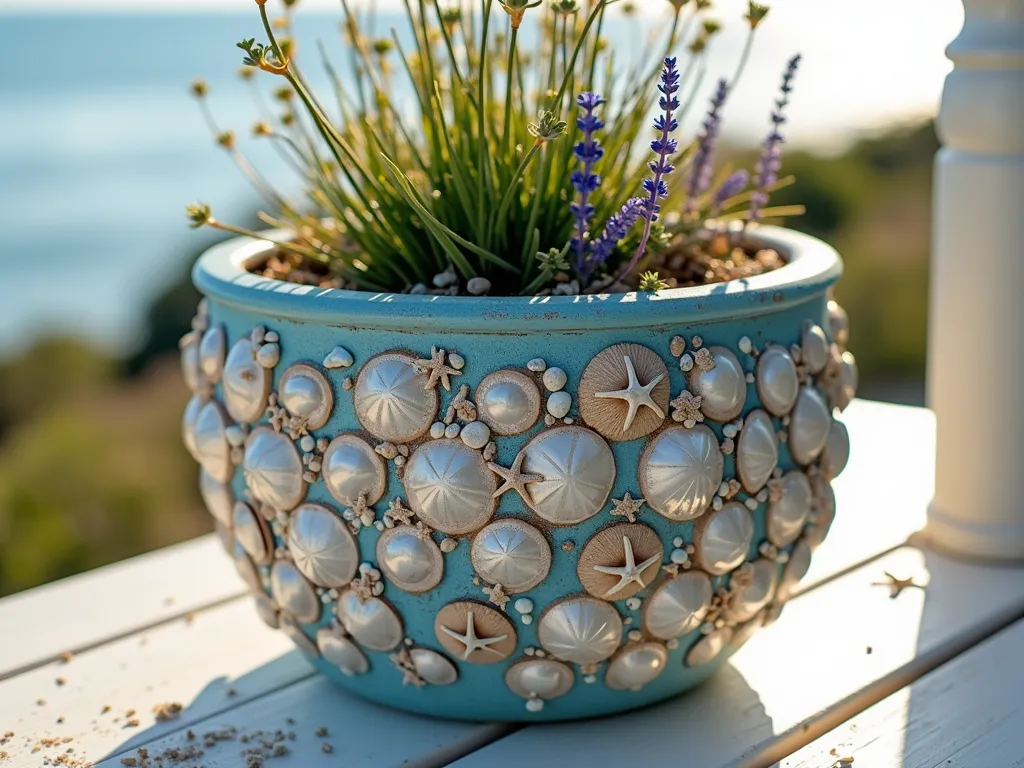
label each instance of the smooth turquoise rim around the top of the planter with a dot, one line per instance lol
(814, 266)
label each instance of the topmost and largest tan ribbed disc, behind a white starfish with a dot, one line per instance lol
(608, 373)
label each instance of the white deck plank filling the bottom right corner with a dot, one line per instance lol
(967, 713)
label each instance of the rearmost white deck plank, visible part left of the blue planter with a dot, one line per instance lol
(86, 611)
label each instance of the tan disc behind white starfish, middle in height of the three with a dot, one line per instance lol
(608, 548)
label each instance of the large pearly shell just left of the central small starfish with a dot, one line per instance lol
(450, 487)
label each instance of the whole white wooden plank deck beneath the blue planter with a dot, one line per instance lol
(929, 678)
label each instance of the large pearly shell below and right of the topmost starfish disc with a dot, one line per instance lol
(680, 471)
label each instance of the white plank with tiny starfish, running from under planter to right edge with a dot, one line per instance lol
(836, 652)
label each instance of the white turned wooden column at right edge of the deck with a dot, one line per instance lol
(976, 328)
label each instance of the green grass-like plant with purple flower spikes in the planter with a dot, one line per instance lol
(504, 172)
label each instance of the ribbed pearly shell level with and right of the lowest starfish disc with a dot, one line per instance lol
(581, 630)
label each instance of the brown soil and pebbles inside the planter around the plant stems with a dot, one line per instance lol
(680, 267)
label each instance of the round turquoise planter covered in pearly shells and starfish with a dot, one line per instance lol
(515, 508)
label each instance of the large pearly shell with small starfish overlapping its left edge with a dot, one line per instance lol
(579, 472)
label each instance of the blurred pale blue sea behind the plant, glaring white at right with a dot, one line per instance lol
(102, 146)
